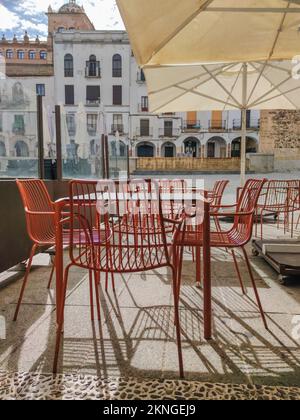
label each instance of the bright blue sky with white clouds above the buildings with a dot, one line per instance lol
(16, 16)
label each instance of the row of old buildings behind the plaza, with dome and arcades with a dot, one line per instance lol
(93, 75)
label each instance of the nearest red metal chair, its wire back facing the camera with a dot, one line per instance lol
(134, 236)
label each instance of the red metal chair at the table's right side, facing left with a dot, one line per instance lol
(238, 236)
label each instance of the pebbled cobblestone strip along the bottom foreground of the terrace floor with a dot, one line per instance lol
(28, 386)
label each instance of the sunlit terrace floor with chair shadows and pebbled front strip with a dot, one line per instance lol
(132, 353)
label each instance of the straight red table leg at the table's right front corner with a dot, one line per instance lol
(207, 295)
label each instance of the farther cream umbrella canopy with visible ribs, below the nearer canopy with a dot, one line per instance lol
(268, 85)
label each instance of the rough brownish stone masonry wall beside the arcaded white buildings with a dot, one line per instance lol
(280, 135)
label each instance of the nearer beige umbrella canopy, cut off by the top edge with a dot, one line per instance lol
(200, 31)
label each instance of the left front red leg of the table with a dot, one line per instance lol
(58, 257)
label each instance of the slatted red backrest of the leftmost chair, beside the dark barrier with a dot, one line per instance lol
(36, 199)
